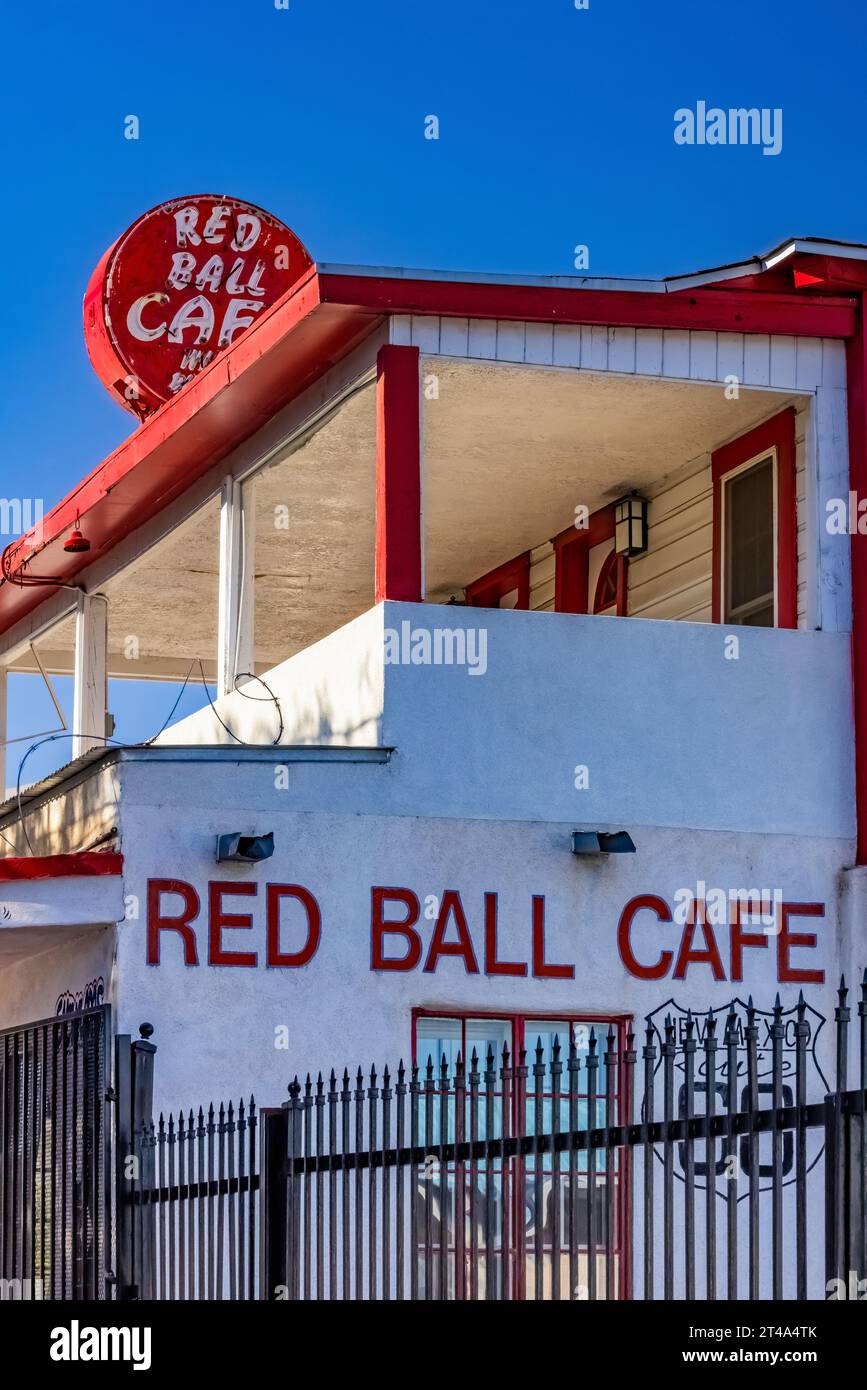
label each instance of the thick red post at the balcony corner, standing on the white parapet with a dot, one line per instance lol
(399, 553)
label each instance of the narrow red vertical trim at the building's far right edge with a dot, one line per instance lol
(857, 393)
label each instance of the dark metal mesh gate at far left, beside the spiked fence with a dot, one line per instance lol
(55, 1154)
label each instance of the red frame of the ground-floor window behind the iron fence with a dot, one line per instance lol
(623, 1024)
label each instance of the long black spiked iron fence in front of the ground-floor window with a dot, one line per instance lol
(702, 1170)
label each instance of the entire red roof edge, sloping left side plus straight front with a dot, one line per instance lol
(216, 411)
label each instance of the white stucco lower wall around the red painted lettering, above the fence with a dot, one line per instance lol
(216, 1025)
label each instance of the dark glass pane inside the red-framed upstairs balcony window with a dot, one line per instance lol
(750, 547)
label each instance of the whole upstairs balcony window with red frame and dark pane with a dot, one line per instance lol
(755, 529)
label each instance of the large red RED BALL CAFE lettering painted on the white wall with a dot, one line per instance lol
(397, 945)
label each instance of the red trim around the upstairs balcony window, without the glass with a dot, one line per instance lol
(777, 433)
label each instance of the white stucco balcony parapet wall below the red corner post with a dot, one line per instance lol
(672, 730)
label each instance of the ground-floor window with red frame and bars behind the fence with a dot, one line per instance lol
(525, 1106)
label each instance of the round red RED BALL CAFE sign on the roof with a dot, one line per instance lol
(179, 287)
